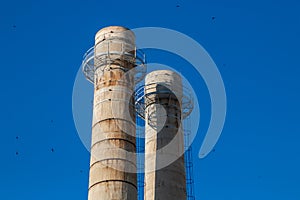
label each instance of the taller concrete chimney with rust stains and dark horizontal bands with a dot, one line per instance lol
(113, 126)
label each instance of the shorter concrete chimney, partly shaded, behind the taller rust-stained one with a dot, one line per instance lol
(163, 128)
